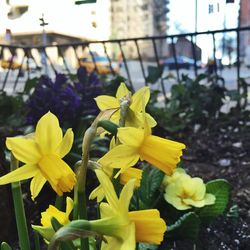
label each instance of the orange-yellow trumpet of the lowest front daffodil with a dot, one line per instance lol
(149, 226)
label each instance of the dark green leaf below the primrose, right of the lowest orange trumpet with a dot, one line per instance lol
(186, 227)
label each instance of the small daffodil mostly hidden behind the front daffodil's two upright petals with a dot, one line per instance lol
(131, 173)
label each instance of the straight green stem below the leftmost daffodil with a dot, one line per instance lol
(19, 209)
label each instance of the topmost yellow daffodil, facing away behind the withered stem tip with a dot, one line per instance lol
(137, 105)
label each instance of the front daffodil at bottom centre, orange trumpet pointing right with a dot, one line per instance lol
(121, 228)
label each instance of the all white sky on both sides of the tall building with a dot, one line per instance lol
(65, 17)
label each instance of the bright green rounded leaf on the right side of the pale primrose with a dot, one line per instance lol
(221, 189)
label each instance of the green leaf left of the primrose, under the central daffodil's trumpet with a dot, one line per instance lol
(150, 185)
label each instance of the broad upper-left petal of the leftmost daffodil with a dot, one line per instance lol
(25, 150)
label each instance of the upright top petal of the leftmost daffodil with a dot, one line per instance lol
(48, 133)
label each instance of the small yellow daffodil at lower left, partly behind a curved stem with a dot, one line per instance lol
(46, 230)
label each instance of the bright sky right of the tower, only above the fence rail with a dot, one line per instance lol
(183, 13)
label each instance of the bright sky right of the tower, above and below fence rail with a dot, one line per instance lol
(182, 20)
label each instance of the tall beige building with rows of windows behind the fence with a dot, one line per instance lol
(139, 18)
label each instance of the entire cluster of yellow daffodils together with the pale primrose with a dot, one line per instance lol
(132, 142)
